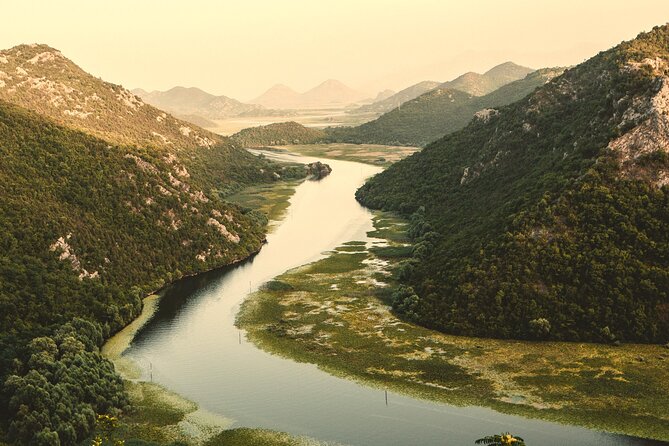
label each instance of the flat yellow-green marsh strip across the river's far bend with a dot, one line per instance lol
(378, 155)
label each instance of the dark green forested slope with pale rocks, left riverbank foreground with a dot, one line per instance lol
(88, 228)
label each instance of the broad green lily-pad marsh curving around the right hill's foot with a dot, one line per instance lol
(335, 313)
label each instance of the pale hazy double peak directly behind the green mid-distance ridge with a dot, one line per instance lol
(482, 84)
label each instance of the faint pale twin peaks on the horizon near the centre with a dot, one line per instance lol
(330, 93)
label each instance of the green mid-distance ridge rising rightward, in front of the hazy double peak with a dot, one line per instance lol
(436, 113)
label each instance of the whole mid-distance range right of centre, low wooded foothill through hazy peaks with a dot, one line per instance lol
(438, 111)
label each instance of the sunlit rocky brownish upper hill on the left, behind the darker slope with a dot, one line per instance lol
(40, 78)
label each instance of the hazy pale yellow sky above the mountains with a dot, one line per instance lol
(240, 48)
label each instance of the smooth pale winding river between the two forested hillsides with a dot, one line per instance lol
(195, 350)
